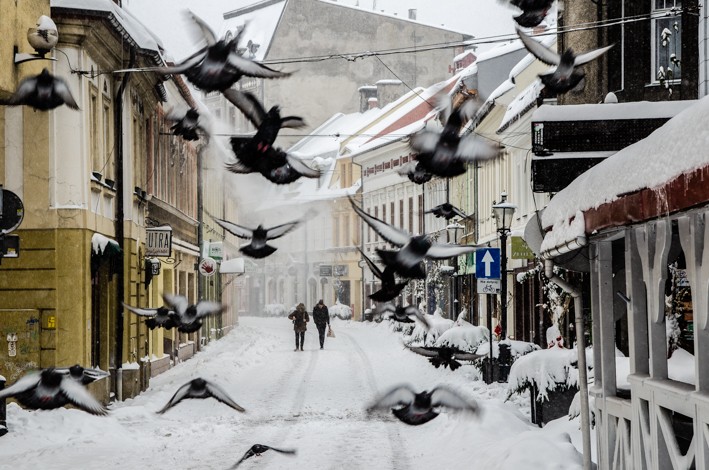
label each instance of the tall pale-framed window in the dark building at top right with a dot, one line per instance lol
(666, 40)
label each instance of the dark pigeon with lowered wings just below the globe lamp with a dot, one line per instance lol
(42, 92)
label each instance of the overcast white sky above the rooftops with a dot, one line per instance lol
(164, 17)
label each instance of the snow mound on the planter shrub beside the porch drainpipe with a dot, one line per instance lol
(546, 369)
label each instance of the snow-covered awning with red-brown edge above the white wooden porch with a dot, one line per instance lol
(661, 174)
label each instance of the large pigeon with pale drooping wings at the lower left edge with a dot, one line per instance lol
(50, 389)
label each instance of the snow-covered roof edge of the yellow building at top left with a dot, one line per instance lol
(132, 28)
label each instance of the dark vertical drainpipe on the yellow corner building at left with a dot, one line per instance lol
(120, 216)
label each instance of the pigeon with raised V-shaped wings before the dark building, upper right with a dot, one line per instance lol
(566, 75)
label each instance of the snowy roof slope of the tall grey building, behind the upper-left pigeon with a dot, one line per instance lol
(261, 20)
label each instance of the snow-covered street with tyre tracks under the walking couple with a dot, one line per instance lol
(312, 401)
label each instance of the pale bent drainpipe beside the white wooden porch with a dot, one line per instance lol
(575, 292)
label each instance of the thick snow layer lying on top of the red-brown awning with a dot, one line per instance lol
(676, 148)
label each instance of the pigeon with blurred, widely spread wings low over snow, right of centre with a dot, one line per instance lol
(419, 408)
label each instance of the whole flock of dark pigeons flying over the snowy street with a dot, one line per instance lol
(218, 65)
